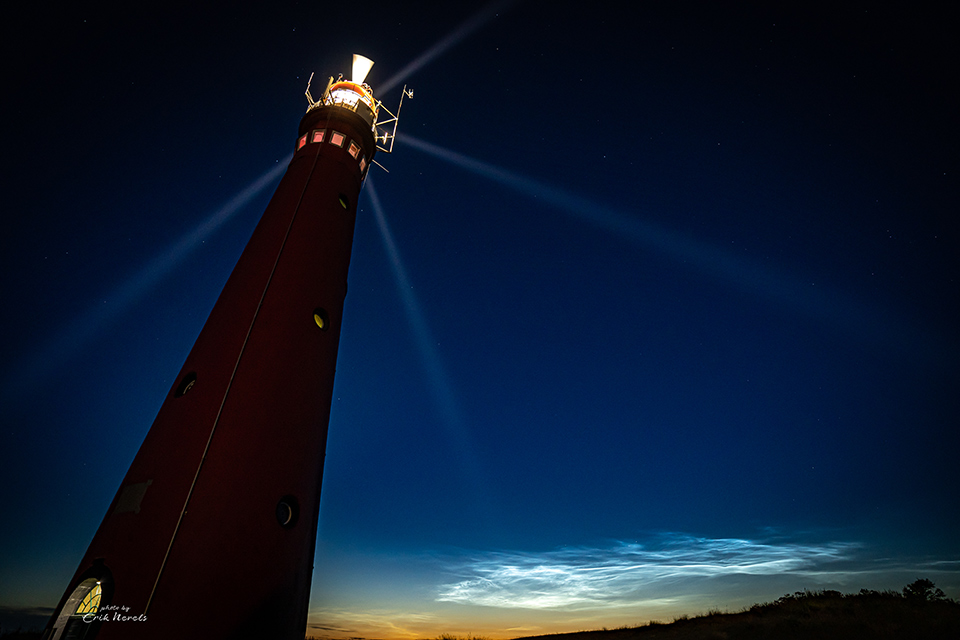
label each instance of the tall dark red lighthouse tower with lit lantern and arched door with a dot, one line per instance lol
(212, 531)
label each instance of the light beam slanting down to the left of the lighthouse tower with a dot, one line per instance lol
(69, 341)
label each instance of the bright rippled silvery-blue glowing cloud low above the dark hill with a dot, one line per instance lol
(630, 574)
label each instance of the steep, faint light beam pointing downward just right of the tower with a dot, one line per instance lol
(438, 377)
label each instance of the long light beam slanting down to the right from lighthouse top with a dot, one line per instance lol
(815, 302)
